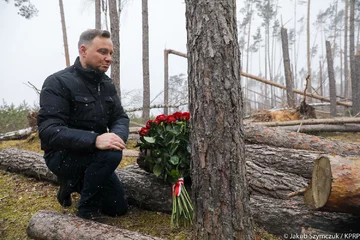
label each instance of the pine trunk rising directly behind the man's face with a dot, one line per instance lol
(115, 37)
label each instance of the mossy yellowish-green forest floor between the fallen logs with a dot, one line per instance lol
(21, 197)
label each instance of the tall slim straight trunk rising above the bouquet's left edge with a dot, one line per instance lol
(146, 75)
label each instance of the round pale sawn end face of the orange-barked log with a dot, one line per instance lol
(321, 181)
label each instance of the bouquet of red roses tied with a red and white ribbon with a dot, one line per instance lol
(166, 139)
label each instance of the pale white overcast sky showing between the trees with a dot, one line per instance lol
(33, 49)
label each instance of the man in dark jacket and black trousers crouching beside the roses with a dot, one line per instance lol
(83, 129)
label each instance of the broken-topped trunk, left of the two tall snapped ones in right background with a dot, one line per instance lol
(288, 74)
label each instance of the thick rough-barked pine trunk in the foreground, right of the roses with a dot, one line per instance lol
(220, 190)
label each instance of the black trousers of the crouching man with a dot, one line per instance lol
(100, 188)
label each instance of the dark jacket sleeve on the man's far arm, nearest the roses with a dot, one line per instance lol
(119, 121)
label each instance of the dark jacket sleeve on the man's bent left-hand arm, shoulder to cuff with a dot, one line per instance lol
(53, 120)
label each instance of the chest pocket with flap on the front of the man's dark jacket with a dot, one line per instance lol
(84, 108)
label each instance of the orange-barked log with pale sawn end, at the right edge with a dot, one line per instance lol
(335, 185)
